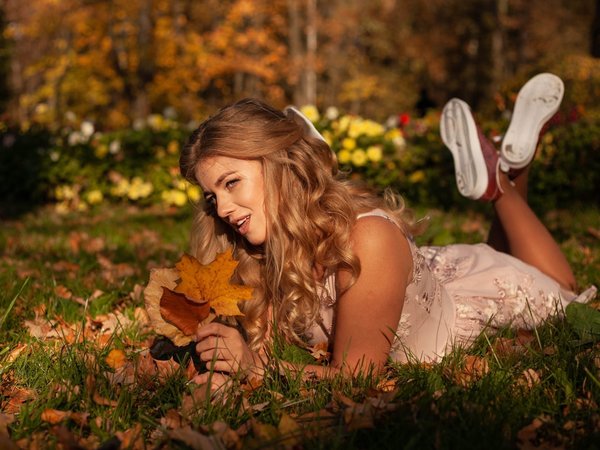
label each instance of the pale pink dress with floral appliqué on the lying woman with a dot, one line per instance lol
(456, 292)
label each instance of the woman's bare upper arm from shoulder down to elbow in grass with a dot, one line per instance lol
(368, 313)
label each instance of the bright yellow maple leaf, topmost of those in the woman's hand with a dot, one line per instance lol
(211, 283)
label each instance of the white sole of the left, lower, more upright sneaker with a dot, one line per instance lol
(459, 134)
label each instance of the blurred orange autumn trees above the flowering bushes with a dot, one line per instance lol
(118, 61)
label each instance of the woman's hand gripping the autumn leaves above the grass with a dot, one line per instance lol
(224, 350)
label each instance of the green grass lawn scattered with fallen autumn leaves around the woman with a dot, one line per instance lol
(76, 370)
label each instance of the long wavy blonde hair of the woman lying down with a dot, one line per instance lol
(310, 210)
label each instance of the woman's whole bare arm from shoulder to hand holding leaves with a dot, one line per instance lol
(367, 314)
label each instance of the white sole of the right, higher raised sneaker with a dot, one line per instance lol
(536, 103)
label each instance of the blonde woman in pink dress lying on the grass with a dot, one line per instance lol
(330, 261)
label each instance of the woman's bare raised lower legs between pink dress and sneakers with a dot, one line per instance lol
(525, 236)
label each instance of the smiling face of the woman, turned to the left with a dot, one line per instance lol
(235, 188)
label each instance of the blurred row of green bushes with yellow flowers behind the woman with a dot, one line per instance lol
(78, 168)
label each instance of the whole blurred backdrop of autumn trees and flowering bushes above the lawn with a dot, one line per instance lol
(97, 97)
